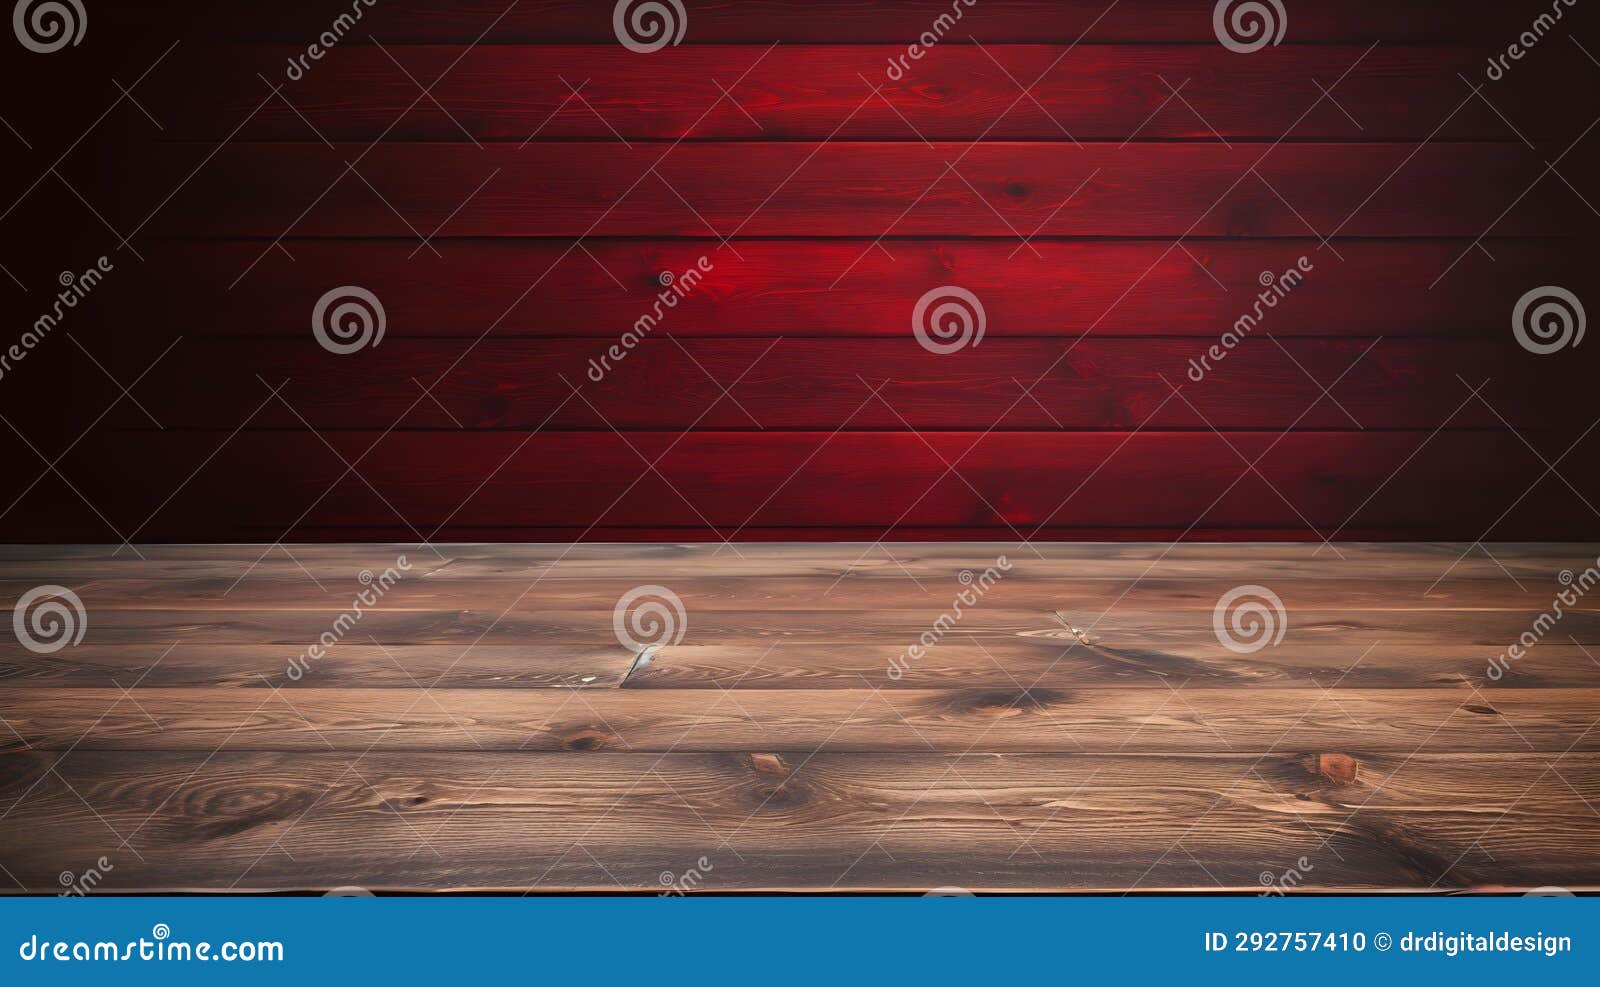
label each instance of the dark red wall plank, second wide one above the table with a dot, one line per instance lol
(793, 383)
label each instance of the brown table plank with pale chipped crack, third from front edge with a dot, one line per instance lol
(996, 665)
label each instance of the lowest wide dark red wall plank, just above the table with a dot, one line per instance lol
(726, 481)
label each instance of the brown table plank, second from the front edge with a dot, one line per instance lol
(1089, 721)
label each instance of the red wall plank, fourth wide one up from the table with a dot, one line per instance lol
(999, 190)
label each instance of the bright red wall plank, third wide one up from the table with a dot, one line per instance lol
(783, 289)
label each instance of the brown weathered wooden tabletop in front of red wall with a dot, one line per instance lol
(1084, 724)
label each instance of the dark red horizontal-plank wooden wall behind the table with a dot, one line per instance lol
(510, 182)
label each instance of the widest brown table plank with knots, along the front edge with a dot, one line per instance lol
(769, 821)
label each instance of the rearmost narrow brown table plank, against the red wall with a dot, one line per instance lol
(767, 561)
